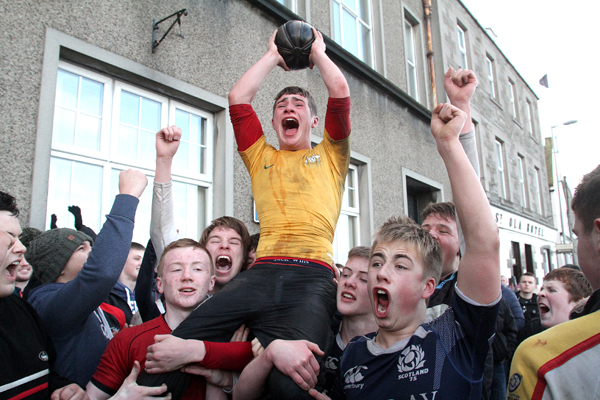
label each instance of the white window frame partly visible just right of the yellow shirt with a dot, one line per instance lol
(340, 250)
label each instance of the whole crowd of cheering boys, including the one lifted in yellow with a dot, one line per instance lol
(421, 313)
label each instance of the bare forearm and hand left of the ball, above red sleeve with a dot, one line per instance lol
(245, 88)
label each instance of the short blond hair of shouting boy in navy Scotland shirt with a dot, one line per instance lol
(405, 230)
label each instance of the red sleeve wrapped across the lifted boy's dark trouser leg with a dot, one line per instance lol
(232, 356)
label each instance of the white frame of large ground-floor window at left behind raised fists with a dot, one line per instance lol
(108, 159)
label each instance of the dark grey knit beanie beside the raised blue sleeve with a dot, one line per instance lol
(49, 252)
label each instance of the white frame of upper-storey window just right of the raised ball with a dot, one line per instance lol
(339, 25)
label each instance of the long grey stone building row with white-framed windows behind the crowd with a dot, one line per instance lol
(82, 94)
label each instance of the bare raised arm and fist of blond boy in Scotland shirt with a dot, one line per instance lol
(479, 270)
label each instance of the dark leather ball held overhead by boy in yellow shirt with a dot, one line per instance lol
(294, 40)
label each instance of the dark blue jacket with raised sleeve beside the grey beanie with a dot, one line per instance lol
(70, 310)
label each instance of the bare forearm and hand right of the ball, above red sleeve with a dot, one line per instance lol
(332, 76)
